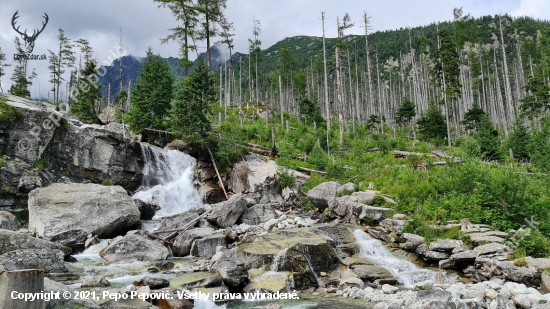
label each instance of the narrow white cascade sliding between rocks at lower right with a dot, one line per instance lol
(406, 272)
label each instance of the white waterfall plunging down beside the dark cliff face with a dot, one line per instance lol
(168, 181)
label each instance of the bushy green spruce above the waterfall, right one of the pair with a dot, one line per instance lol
(192, 110)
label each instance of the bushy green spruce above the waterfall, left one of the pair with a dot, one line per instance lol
(151, 97)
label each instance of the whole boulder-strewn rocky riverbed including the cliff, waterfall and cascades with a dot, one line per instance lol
(161, 227)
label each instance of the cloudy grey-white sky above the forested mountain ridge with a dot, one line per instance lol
(143, 23)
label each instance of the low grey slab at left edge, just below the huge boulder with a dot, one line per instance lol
(10, 241)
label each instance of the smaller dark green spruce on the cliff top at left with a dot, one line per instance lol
(88, 94)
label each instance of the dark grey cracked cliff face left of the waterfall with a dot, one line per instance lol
(65, 148)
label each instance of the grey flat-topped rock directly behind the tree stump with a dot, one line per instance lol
(51, 261)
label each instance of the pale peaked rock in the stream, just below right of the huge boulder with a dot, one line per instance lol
(134, 246)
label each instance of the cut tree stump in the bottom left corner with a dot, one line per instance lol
(21, 281)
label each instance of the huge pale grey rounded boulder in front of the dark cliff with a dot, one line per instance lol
(67, 213)
